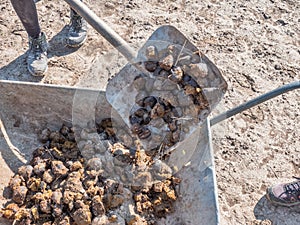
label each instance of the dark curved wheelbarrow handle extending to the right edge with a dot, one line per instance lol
(254, 102)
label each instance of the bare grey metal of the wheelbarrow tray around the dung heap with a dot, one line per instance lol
(27, 108)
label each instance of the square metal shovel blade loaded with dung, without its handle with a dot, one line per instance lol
(192, 96)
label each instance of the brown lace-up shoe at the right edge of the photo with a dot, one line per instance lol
(287, 194)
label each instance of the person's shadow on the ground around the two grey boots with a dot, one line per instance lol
(17, 69)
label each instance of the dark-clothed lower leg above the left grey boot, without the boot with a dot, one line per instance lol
(26, 10)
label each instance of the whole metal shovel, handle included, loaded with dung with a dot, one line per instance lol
(165, 92)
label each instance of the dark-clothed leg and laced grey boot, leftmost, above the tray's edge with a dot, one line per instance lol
(37, 55)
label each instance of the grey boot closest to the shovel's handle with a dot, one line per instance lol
(77, 33)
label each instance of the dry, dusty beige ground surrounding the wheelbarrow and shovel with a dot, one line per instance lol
(256, 46)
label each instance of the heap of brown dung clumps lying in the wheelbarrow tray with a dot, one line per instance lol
(59, 186)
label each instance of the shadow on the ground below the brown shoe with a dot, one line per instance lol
(278, 215)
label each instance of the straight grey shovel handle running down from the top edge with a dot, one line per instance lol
(102, 28)
